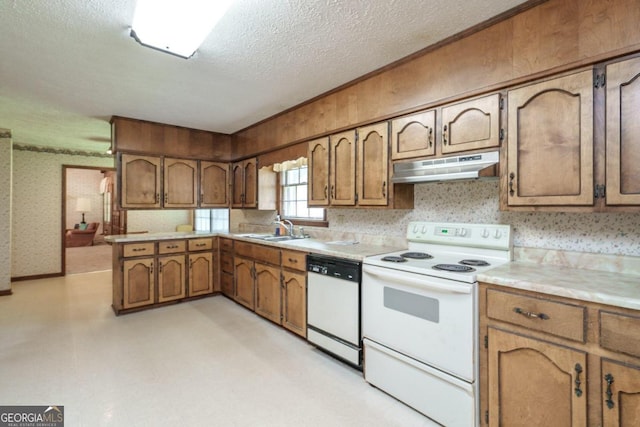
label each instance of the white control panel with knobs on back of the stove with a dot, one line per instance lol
(492, 236)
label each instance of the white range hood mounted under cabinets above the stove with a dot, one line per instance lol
(470, 166)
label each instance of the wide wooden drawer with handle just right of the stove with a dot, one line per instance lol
(552, 317)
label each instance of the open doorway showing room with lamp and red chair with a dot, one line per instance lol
(88, 203)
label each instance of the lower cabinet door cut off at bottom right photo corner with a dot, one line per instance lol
(620, 394)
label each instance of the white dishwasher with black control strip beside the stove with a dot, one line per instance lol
(333, 307)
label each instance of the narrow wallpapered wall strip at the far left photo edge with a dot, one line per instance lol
(5, 210)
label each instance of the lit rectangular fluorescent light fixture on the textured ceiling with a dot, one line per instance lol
(176, 26)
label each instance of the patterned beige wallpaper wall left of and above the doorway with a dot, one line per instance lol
(37, 204)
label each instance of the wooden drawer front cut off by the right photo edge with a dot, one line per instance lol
(620, 332)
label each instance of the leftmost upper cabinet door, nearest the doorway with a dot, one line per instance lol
(140, 181)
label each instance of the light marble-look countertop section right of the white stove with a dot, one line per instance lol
(604, 287)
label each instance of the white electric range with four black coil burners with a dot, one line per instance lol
(420, 317)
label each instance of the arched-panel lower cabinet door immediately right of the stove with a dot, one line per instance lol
(535, 383)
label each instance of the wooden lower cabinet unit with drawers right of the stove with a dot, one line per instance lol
(554, 361)
